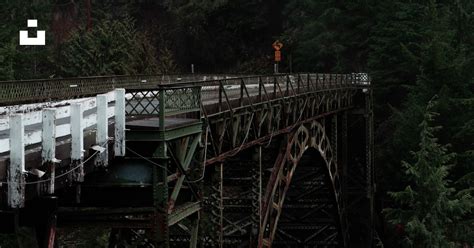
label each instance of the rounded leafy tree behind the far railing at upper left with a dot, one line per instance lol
(112, 47)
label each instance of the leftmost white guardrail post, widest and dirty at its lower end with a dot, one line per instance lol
(16, 177)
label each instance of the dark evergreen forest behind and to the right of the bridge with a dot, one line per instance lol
(420, 55)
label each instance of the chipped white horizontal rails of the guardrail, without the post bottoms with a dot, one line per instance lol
(37, 119)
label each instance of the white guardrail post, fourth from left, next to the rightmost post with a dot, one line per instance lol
(102, 130)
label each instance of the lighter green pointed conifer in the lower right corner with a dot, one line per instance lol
(431, 211)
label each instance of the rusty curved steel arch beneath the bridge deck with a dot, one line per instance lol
(310, 135)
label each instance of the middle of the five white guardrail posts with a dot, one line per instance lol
(77, 140)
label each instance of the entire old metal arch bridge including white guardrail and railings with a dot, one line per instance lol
(281, 160)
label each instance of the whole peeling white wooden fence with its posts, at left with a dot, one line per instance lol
(43, 125)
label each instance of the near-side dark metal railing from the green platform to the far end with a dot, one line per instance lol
(247, 90)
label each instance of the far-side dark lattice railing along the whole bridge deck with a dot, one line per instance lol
(35, 91)
